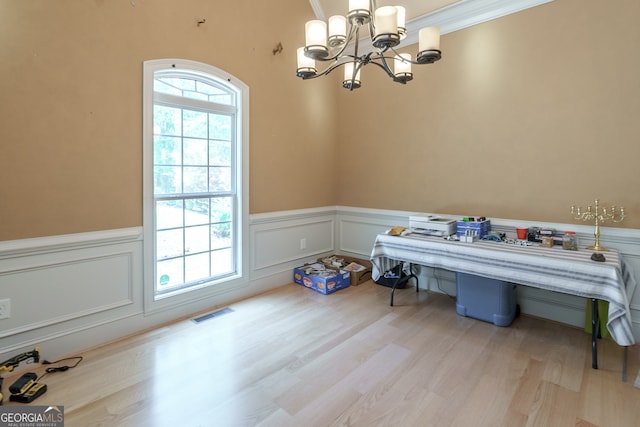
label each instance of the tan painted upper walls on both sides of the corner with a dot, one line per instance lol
(524, 116)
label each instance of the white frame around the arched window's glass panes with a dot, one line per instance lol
(153, 301)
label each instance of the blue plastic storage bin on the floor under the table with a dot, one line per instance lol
(490, 300)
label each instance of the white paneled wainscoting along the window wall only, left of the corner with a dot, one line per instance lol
(72, 292)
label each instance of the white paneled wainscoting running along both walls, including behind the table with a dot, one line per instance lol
(69, 293)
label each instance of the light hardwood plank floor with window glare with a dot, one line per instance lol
(293, 357)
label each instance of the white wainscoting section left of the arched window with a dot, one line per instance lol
(66, 286)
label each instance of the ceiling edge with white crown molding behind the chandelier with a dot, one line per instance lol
(449, 15)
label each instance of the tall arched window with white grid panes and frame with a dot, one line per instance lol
(195, 206)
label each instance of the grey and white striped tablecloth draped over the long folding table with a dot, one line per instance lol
(555, 269)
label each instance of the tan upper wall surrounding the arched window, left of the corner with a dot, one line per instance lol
(71, 109)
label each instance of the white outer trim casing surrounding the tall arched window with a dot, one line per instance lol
(241, 279)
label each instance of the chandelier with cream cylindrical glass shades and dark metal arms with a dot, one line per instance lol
(337, 43)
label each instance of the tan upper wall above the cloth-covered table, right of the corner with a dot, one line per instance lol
(523, 117)
